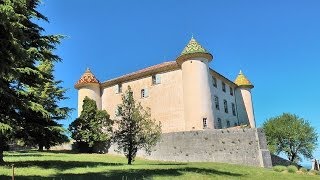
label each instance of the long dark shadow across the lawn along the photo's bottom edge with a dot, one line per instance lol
(135, 174)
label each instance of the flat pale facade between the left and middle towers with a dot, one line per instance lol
(165, 99)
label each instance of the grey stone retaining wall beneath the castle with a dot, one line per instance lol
(236, 146)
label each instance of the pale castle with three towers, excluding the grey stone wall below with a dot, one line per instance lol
(185, 94)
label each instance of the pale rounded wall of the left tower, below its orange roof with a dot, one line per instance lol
(92, 91)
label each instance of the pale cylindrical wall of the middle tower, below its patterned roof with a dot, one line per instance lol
(197, 88)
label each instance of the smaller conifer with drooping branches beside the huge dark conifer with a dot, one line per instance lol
(41, 130)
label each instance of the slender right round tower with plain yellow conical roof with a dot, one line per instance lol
(245, 98)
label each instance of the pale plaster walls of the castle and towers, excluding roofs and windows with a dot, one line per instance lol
(181, 100)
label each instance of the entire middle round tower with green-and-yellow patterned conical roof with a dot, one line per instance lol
(197, 86)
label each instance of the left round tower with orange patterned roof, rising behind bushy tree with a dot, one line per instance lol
(88, 85)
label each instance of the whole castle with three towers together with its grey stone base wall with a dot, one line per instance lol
(196, 106)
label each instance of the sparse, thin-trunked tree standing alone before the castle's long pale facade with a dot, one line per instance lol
(136, 130)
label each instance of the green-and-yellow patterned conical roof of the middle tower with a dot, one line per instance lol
(194, 49)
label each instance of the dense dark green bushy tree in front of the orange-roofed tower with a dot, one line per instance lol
(93, 126)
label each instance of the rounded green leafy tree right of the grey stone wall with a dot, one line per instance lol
(291, 135)
